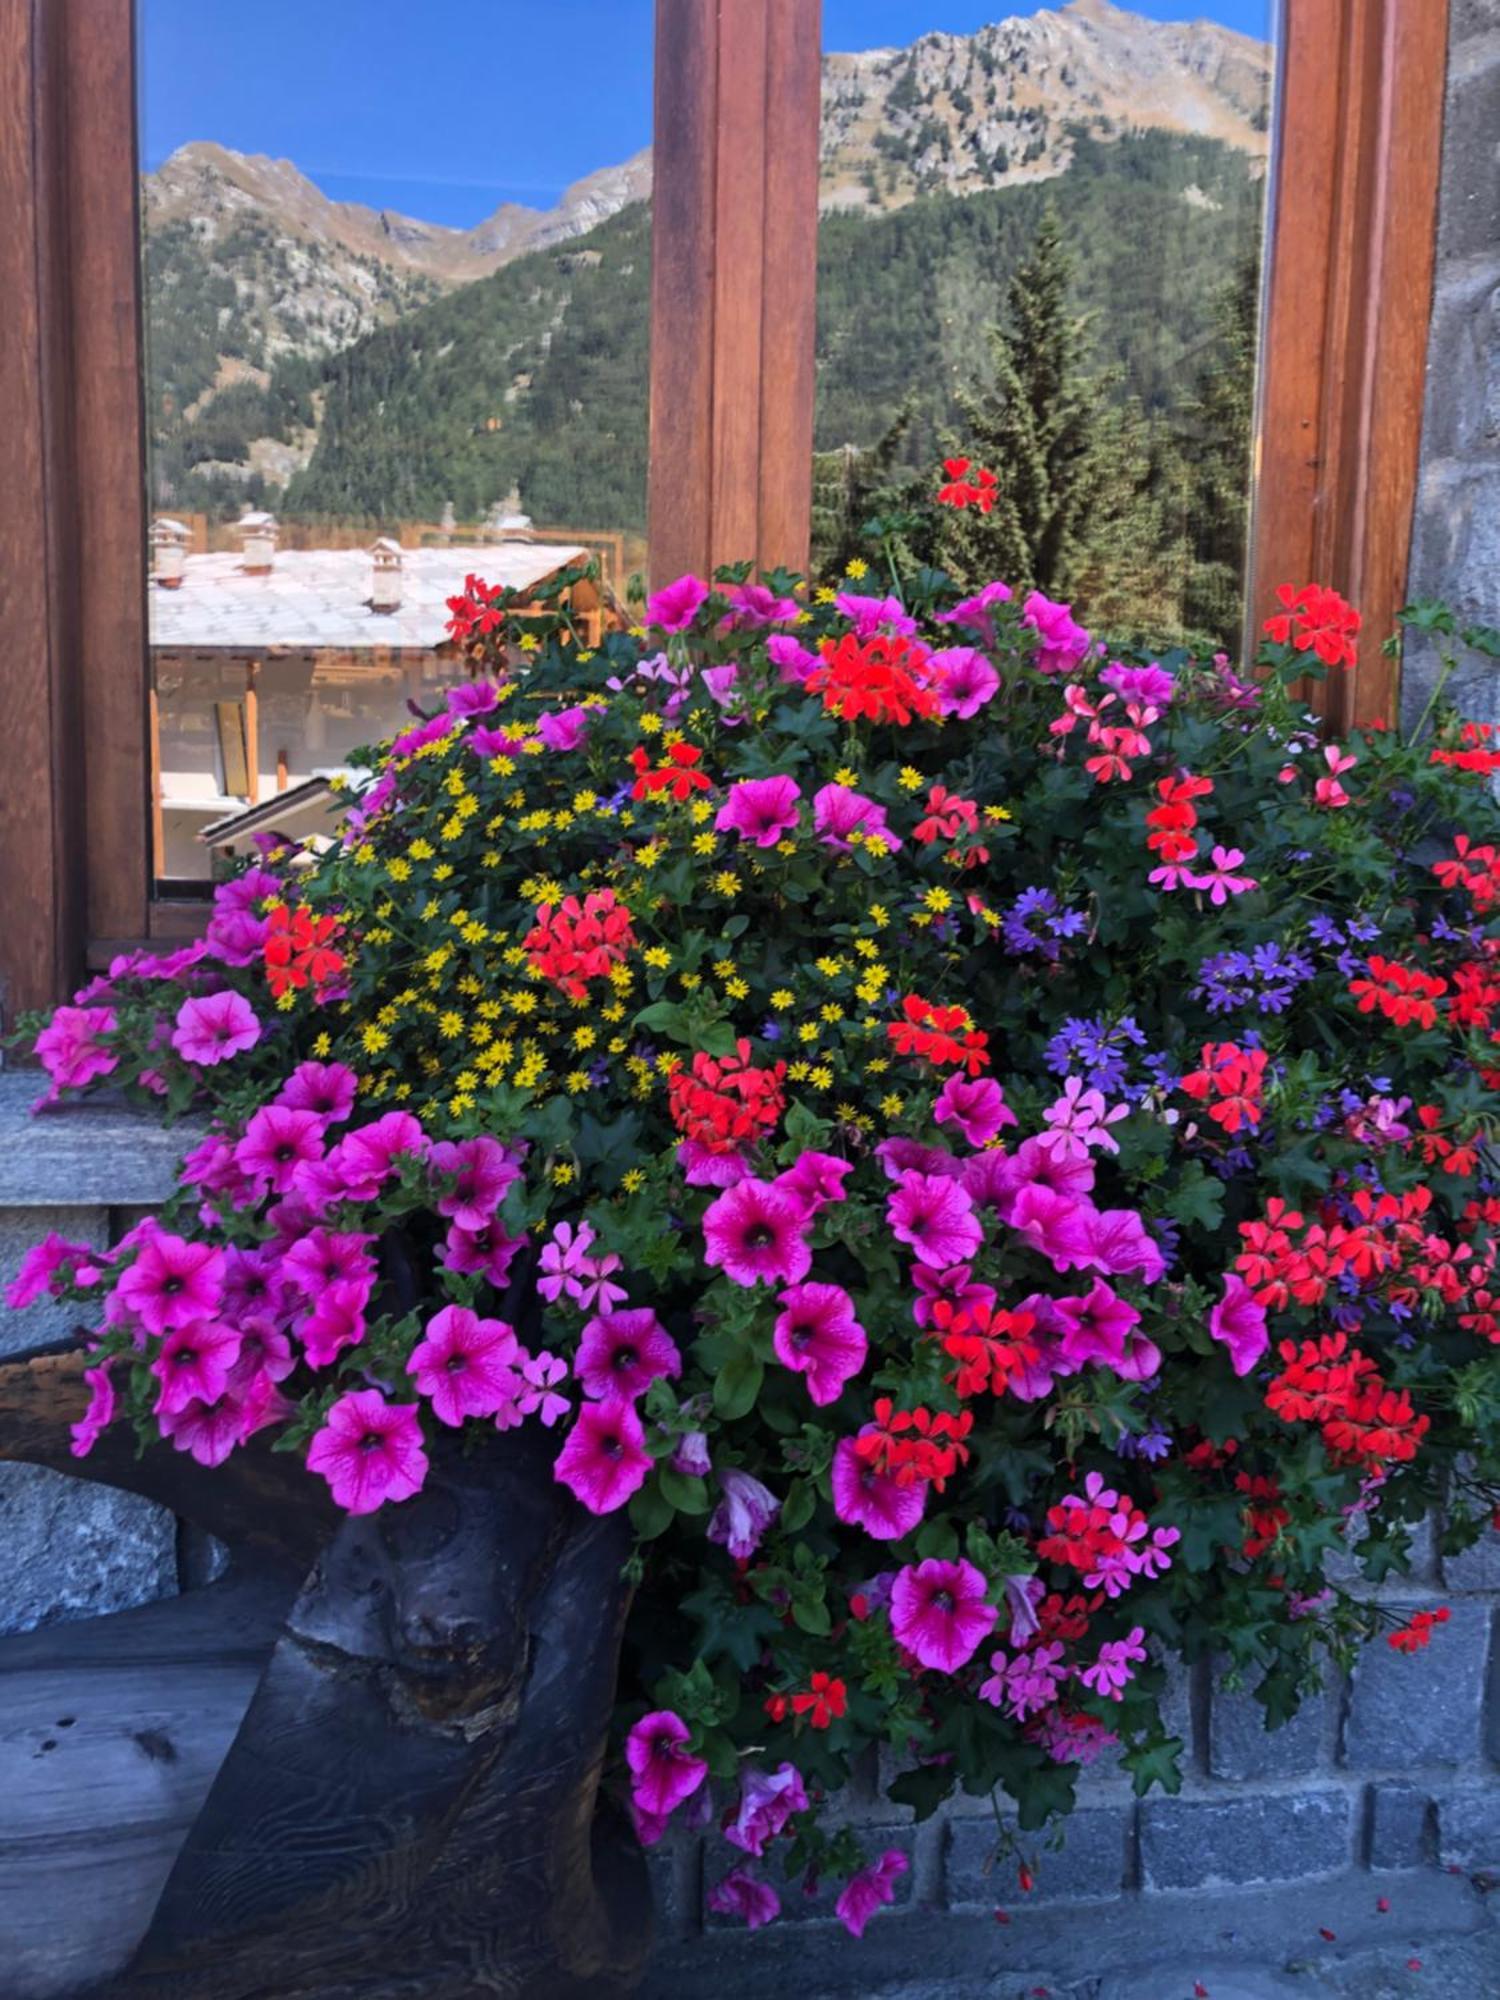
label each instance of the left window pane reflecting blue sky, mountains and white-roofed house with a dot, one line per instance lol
(389, 343)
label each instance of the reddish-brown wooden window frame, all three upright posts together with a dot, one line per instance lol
(1359, 143)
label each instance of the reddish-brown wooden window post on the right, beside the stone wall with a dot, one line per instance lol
(1347, 319)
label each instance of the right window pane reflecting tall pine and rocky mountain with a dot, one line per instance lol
(1041, 247)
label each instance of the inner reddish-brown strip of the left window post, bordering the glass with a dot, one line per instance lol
(107, 389)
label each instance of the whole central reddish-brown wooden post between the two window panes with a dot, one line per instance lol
(735, 239)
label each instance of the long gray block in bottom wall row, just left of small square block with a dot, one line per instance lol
(1273, 1839)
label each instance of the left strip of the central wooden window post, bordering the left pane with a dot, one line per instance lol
(683, 287)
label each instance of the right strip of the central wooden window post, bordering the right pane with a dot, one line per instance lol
(791, 283)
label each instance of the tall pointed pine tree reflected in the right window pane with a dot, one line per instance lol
(1075, 515)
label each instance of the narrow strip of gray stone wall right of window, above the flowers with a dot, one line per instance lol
(1457, 527)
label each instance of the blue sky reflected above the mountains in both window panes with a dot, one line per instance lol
(445, 109)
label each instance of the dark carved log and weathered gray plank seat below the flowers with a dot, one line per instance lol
(369, 1759)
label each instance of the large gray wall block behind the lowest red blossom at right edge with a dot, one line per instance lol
(1421, 1709)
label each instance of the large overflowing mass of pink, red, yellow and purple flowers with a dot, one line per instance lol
(975, 1141)
